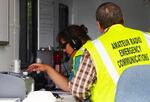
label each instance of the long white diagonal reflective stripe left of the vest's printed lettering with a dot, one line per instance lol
(106, 60)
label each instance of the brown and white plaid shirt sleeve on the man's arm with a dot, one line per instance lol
(86, 75)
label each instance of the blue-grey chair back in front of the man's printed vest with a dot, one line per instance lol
(134, 85)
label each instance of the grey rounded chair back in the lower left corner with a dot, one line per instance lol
(12, 87)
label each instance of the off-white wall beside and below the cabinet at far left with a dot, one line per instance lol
(11, 51)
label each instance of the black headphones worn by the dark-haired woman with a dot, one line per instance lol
(74, 42)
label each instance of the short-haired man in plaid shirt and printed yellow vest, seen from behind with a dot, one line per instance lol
(105, 58)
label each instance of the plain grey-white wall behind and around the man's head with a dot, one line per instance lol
(136, 14)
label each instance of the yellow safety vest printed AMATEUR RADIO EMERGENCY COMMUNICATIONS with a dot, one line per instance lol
(112, 53)
